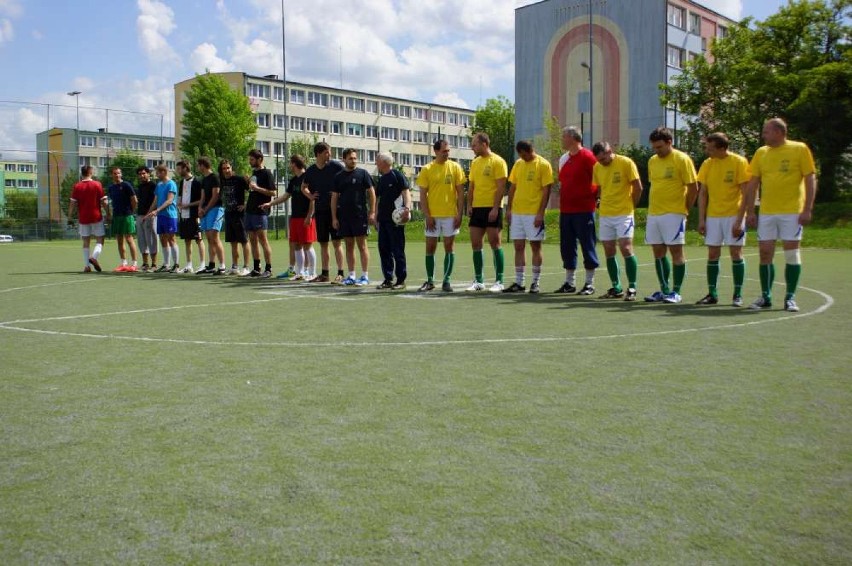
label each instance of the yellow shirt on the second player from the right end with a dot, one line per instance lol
(722, 179)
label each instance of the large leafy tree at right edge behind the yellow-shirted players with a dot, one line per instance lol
(796, 65)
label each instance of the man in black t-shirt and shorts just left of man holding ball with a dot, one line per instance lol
(353, 209)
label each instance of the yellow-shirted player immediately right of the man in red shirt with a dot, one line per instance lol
(620, 191)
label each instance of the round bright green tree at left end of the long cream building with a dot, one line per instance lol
(218, 122)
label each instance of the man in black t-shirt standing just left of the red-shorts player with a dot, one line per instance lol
(261, 191)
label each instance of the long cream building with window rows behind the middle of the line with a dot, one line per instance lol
(342, 118)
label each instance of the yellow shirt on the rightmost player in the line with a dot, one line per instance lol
(782, 171)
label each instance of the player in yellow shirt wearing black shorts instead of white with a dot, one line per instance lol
(488, 174)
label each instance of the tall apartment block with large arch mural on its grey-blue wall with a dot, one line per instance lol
(600, 63)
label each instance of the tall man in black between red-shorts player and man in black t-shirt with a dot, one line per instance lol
(318, 183)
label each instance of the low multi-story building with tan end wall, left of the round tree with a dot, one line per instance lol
(60, 150)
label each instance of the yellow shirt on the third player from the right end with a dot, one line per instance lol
(669, 177)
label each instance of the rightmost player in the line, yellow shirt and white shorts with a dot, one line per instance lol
(785, 172)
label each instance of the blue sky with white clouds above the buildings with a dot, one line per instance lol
(127, 54)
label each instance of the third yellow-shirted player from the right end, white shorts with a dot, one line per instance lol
(673, 191)
